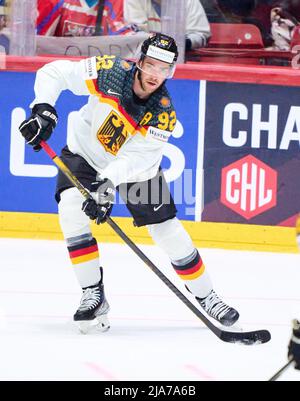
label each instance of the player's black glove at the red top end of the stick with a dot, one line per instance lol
(40, 125)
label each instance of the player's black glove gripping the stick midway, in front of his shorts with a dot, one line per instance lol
(100, 206)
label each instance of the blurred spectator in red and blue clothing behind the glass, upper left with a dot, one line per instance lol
(81, 17)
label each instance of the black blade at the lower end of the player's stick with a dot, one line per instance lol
(247, 338)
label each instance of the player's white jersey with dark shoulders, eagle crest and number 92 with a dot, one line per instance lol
(119, 135)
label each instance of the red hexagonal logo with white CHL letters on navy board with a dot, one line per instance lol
(249, 187)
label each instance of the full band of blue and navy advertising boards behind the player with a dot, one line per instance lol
(233, 158)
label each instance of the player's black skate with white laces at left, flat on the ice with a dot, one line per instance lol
(92, 312)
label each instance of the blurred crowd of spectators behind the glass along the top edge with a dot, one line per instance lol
(276, 19)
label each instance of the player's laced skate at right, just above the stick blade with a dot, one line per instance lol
(218, 310)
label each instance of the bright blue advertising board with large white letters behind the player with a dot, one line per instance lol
(28, 179)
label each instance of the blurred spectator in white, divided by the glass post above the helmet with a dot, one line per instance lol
(146, 15)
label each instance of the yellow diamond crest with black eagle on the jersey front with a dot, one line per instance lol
(113, 133)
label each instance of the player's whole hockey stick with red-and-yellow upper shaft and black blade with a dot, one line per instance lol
(247, 338)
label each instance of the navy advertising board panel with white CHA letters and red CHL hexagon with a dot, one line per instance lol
(251, 154)
